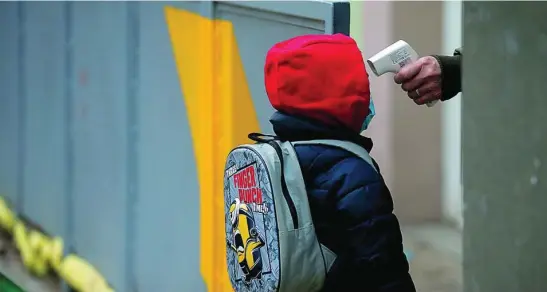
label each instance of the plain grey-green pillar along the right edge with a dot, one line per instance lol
(505, 146)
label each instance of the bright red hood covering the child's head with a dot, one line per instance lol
(322, 77)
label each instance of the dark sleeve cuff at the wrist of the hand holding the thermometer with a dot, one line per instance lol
(451, 76)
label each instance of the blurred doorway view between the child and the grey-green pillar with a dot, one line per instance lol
(428, 199)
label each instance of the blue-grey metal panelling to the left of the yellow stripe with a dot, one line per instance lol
(84, 150)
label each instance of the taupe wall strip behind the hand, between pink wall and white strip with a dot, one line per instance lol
(416, 129)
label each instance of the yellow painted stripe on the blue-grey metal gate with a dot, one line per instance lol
(220, 114)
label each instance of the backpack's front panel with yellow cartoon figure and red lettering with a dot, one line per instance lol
(251, 227)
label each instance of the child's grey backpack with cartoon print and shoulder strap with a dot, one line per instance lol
(270, 236)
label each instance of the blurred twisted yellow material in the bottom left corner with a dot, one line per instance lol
(40, 254)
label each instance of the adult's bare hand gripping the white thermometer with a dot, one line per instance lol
(421, 80)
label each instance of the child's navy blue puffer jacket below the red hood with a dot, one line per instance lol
(352, 210)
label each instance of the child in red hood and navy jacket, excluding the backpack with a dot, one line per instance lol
(319, 86)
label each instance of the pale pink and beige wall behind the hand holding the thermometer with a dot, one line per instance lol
(406, 136)
